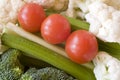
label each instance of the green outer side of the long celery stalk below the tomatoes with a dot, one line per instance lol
(39, 52)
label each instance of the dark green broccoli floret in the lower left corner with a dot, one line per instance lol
(10, 67)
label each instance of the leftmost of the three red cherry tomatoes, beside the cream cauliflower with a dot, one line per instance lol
(31, 16)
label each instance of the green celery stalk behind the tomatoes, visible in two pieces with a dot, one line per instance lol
(113, 48)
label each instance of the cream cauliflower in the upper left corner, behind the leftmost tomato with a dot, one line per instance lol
(10, 8)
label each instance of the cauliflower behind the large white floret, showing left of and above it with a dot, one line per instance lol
(84, 5)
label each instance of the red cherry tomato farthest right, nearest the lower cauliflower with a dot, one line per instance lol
(81, 46)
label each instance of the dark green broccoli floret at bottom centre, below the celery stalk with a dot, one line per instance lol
(48, 73)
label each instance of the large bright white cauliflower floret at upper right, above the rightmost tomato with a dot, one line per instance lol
(104, 21)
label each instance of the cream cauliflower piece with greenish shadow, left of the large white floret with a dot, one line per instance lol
(81, 4)
